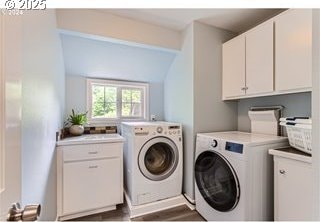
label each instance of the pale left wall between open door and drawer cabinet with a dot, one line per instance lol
(42, 108)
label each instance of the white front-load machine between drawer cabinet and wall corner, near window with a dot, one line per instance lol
(153, 156)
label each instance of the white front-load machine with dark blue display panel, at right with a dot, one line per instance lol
(233, 175)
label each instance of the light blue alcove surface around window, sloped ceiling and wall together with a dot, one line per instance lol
(100, 59)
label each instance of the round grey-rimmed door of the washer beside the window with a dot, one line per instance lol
(158, 158)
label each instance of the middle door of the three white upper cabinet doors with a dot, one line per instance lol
(259, 59)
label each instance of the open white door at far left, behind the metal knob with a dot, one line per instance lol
(11, 71)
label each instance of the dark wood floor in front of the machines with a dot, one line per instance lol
(181, 213)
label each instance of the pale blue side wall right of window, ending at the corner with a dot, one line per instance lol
(178, 102)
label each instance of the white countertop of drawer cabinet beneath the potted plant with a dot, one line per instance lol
(91, 139)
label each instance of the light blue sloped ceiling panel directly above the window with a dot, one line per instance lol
(102, 59)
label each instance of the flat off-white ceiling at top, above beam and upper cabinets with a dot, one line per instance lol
(235, 20)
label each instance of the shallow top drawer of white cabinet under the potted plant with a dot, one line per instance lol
(92, 151)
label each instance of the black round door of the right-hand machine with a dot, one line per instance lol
(217, 181)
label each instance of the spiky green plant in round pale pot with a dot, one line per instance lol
(77, 120)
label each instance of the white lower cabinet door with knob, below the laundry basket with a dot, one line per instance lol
(293, 185)
